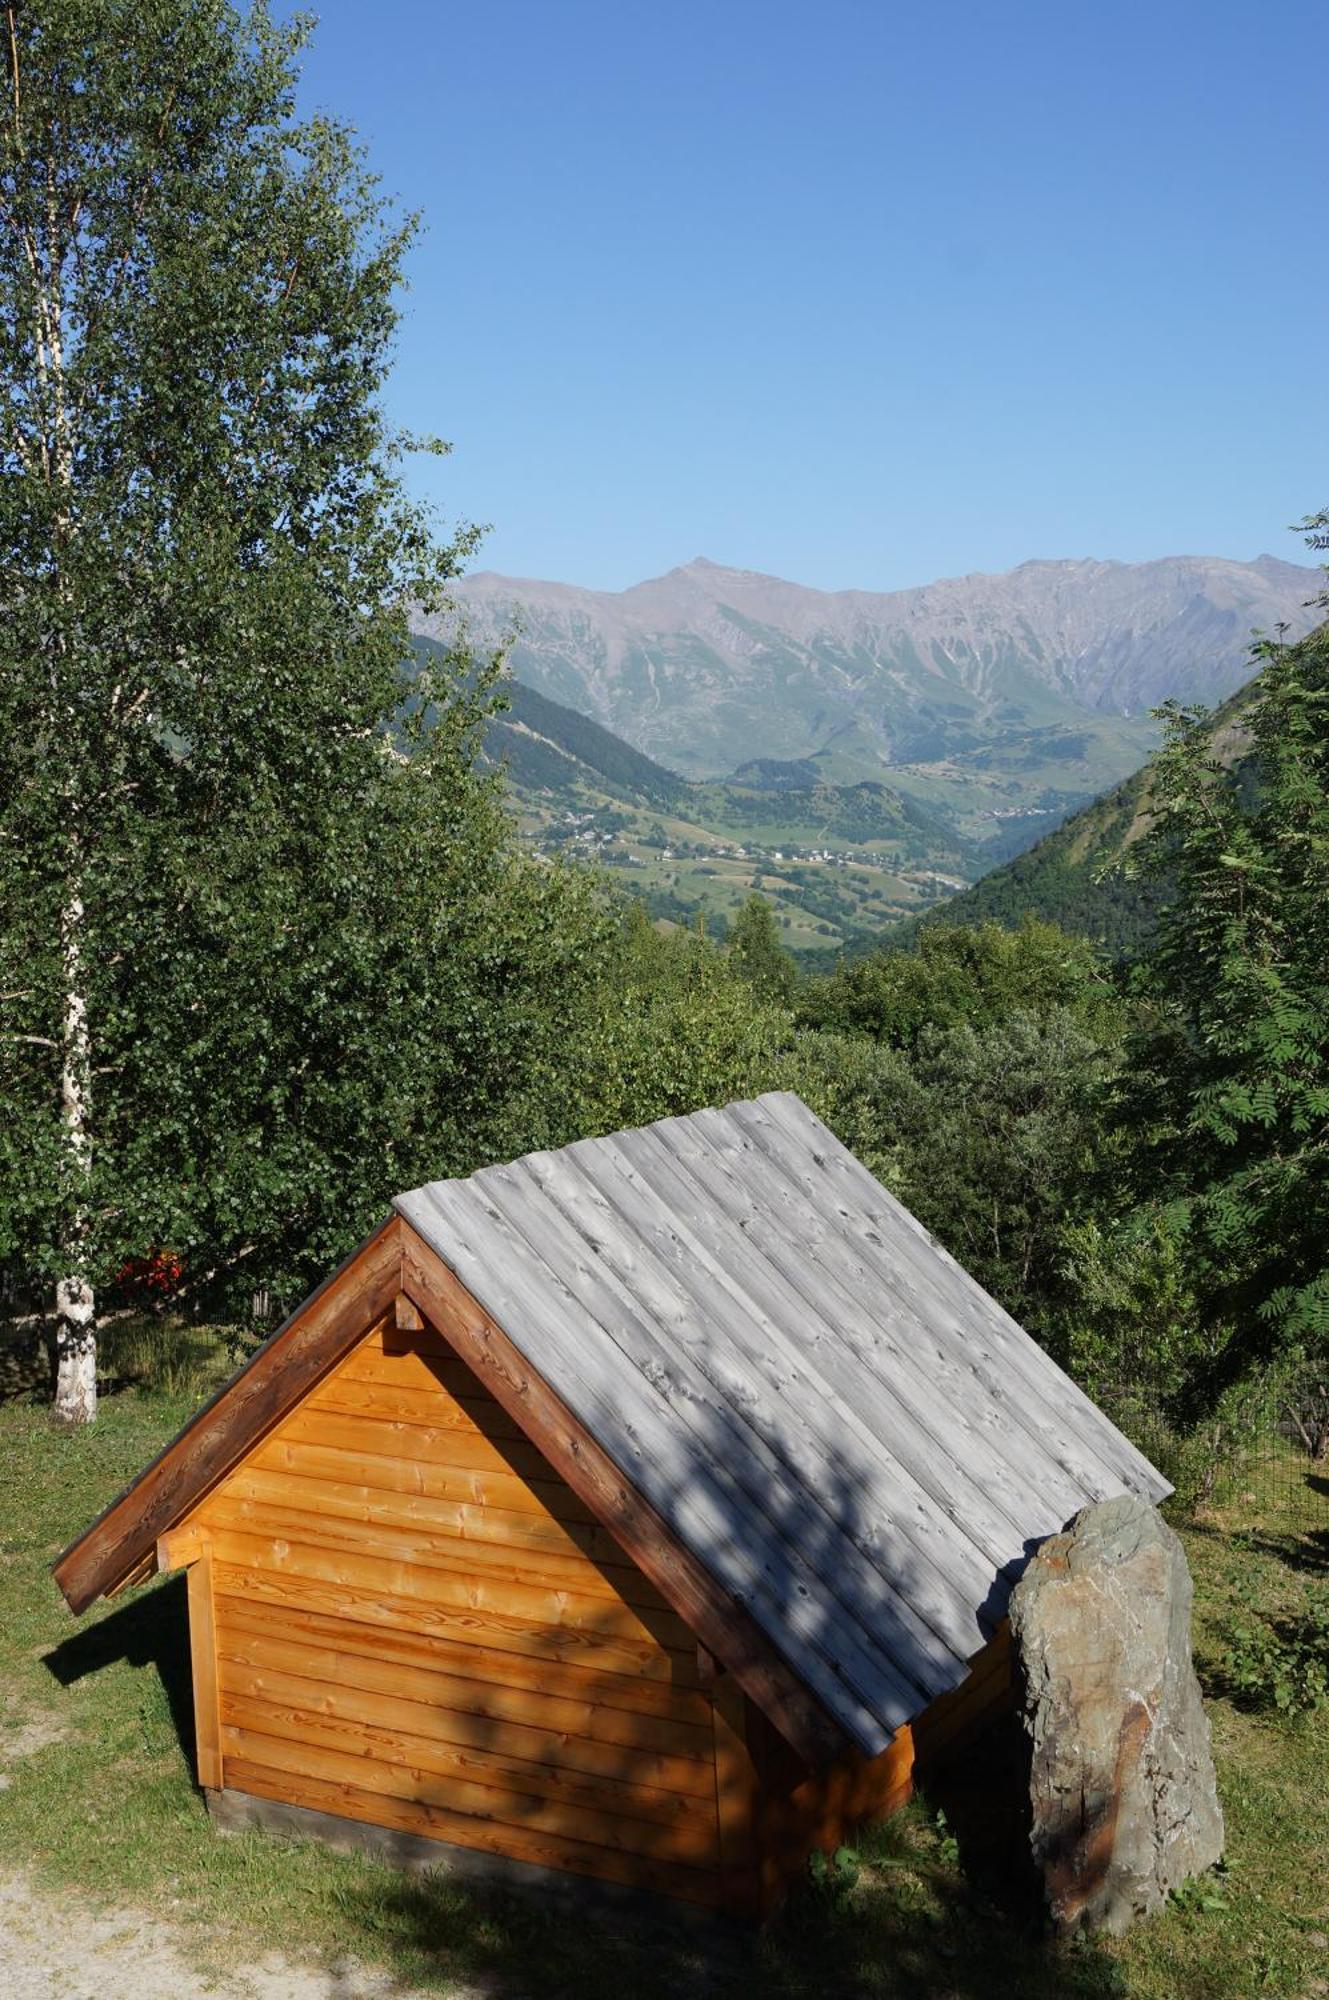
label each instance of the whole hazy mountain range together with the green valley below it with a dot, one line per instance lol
(860, 755)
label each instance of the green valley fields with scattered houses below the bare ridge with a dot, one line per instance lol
(842, 843)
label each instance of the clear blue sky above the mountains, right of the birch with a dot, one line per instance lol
(860, 295)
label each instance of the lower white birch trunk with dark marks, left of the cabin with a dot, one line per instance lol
(75, 1303)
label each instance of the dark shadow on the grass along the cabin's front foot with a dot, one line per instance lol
(946, 1907)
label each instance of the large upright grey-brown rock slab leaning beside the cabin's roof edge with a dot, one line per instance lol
(1122, 1781)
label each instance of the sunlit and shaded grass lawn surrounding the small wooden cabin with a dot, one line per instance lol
(97, 1799)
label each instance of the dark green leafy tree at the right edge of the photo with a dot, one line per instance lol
(1238, 1077)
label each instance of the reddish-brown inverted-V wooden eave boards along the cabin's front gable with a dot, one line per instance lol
(395, 1265)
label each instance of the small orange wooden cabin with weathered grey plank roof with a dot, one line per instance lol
(641, 1511)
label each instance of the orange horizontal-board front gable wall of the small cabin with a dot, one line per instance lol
(419, 1625)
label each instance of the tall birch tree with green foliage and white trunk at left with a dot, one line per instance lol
(205, 555)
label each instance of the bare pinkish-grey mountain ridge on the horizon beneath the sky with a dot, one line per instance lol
(710, 669)
